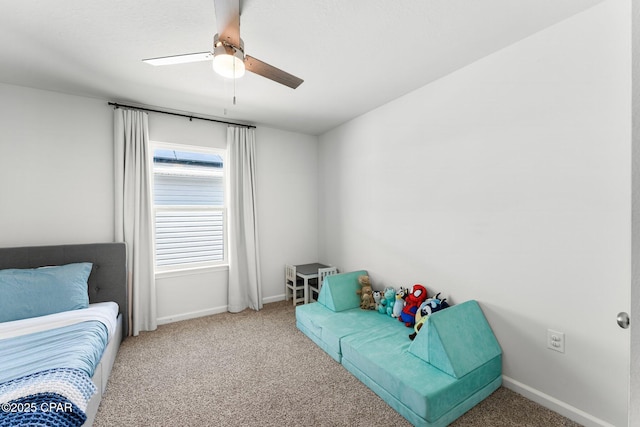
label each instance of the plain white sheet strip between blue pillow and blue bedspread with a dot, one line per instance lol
(105, 312)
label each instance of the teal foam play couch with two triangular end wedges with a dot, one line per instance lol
(453, 363)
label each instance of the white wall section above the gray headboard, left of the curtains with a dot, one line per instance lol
(56, 168)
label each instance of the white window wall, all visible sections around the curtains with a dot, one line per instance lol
(56, 186)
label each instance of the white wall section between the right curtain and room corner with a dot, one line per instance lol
(287, 188)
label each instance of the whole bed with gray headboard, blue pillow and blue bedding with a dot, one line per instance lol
(63, 387)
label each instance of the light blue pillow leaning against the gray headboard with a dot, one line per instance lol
(40, 291)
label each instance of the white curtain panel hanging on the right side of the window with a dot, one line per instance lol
(245, 289)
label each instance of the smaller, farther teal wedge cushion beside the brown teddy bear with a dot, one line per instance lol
(338, 292)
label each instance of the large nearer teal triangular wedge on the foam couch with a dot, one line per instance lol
(456, 340)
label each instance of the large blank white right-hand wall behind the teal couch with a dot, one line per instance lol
(507, 182)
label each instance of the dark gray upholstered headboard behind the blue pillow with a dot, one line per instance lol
(108, 279)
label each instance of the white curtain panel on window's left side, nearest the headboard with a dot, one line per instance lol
(134, 214)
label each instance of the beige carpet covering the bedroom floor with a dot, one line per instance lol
(257, 369)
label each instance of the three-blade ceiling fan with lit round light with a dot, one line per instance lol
(228, 55)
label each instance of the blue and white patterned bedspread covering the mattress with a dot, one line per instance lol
(45, 377)
